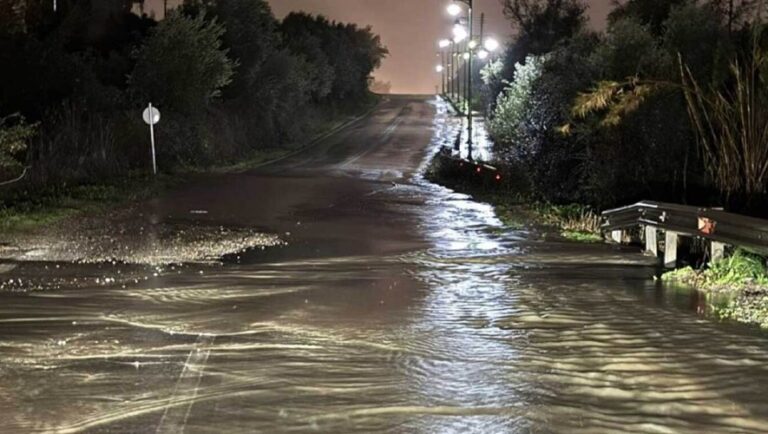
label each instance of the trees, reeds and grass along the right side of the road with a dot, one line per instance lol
(668, 103)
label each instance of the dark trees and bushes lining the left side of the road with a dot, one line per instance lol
(235, 86)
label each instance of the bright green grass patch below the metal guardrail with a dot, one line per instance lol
(736, 287)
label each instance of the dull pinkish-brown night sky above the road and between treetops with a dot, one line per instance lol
(410, 29)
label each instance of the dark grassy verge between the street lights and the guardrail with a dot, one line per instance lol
(573, 222)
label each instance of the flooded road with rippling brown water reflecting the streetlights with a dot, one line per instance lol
(396, 306)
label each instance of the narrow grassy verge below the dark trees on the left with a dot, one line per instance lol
(26, 209)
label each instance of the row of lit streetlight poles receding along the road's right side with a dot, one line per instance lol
(464, 45)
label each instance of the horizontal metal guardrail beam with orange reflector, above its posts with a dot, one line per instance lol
(715, 225)
